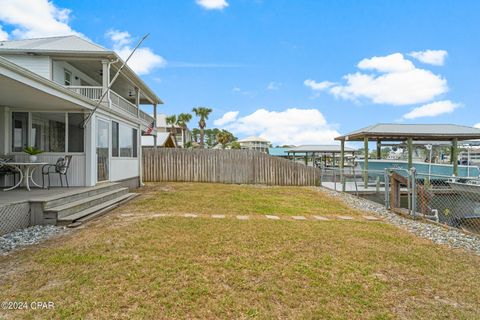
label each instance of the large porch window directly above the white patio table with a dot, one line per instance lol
(48, 131)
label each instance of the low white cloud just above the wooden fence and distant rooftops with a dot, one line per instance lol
(290, 126)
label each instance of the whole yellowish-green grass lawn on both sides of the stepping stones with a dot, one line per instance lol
(132, 263)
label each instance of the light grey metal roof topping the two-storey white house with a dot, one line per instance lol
(53, 44)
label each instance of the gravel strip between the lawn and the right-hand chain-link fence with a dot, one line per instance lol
(435, 233)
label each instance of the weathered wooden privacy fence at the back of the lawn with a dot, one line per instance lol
(225, 166)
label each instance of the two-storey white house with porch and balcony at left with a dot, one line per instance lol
(47, 88)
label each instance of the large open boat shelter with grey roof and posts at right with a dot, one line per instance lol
(408, 133)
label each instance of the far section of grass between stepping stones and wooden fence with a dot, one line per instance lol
(210, 198)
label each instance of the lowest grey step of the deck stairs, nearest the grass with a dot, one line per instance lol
(76, 219)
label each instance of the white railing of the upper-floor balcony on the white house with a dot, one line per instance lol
(117, 101)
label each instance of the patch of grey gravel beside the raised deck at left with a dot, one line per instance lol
(27, 236)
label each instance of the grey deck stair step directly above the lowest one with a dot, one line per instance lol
(69, 208)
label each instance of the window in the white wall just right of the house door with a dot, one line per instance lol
(124, 141)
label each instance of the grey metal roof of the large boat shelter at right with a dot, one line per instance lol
(398, 132)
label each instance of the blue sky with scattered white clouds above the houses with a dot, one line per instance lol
(293, 72)
